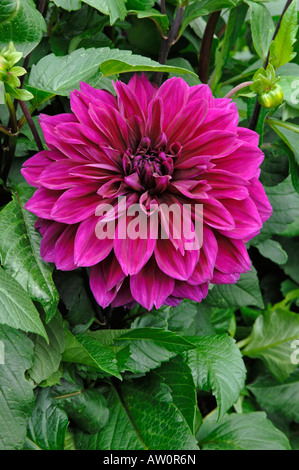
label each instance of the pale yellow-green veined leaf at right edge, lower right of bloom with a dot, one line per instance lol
(271, 340)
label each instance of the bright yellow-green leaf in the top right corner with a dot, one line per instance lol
(281, 49)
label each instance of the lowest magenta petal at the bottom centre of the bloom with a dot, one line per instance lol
(150, 286)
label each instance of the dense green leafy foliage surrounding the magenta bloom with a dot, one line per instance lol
(222, 374)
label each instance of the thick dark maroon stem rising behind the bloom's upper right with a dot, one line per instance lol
(206, 47)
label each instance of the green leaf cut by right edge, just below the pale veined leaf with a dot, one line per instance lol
(276, 397)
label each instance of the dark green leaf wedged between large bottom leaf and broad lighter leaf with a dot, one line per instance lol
(177, 375)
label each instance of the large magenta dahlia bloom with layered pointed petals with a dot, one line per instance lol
(154, 147)
